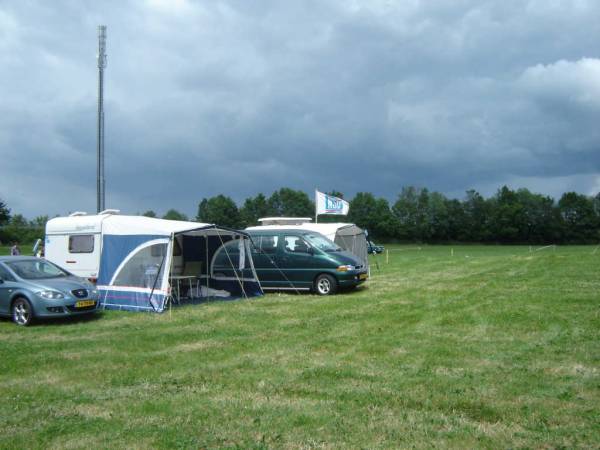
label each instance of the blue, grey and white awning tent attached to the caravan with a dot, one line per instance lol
(142, 257)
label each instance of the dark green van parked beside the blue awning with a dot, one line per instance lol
(302, 260)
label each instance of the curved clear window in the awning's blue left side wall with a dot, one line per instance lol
(142, 269)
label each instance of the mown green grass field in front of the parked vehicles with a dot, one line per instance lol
(491, 347)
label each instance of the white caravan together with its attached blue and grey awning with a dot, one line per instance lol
(136, 260)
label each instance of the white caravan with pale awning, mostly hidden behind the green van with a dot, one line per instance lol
(347, 235)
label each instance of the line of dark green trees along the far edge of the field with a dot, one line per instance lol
(418, 215)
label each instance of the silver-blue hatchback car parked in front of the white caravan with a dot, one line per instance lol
(32, 288)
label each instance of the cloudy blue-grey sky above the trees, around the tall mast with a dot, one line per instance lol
(240, 97)
